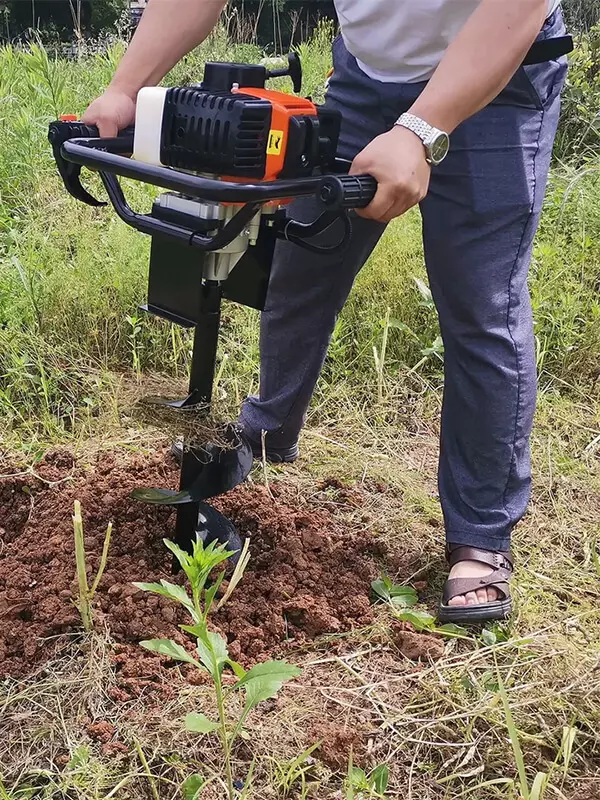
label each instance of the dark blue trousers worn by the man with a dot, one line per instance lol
(479, 221)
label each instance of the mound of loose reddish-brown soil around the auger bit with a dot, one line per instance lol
(309, 574)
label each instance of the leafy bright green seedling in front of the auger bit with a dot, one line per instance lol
(257, 684)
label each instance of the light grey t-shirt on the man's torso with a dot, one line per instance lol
(403, 41)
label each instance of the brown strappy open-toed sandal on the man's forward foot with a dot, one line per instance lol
(498, 579)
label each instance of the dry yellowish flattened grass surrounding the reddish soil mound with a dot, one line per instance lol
(440, 726)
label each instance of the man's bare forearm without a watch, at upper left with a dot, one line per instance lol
(167, 31)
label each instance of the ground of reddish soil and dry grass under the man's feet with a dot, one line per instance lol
(99, 716)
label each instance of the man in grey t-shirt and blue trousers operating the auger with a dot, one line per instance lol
(406, 75)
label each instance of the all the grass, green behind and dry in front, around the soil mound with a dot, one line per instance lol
(493, 713)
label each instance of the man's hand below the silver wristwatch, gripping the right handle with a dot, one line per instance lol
(397, 161)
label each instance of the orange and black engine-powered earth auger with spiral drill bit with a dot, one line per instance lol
(232, 155)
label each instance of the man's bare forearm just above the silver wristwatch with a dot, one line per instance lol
(480, 61)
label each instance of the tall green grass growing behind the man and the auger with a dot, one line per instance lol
(71, 277)
